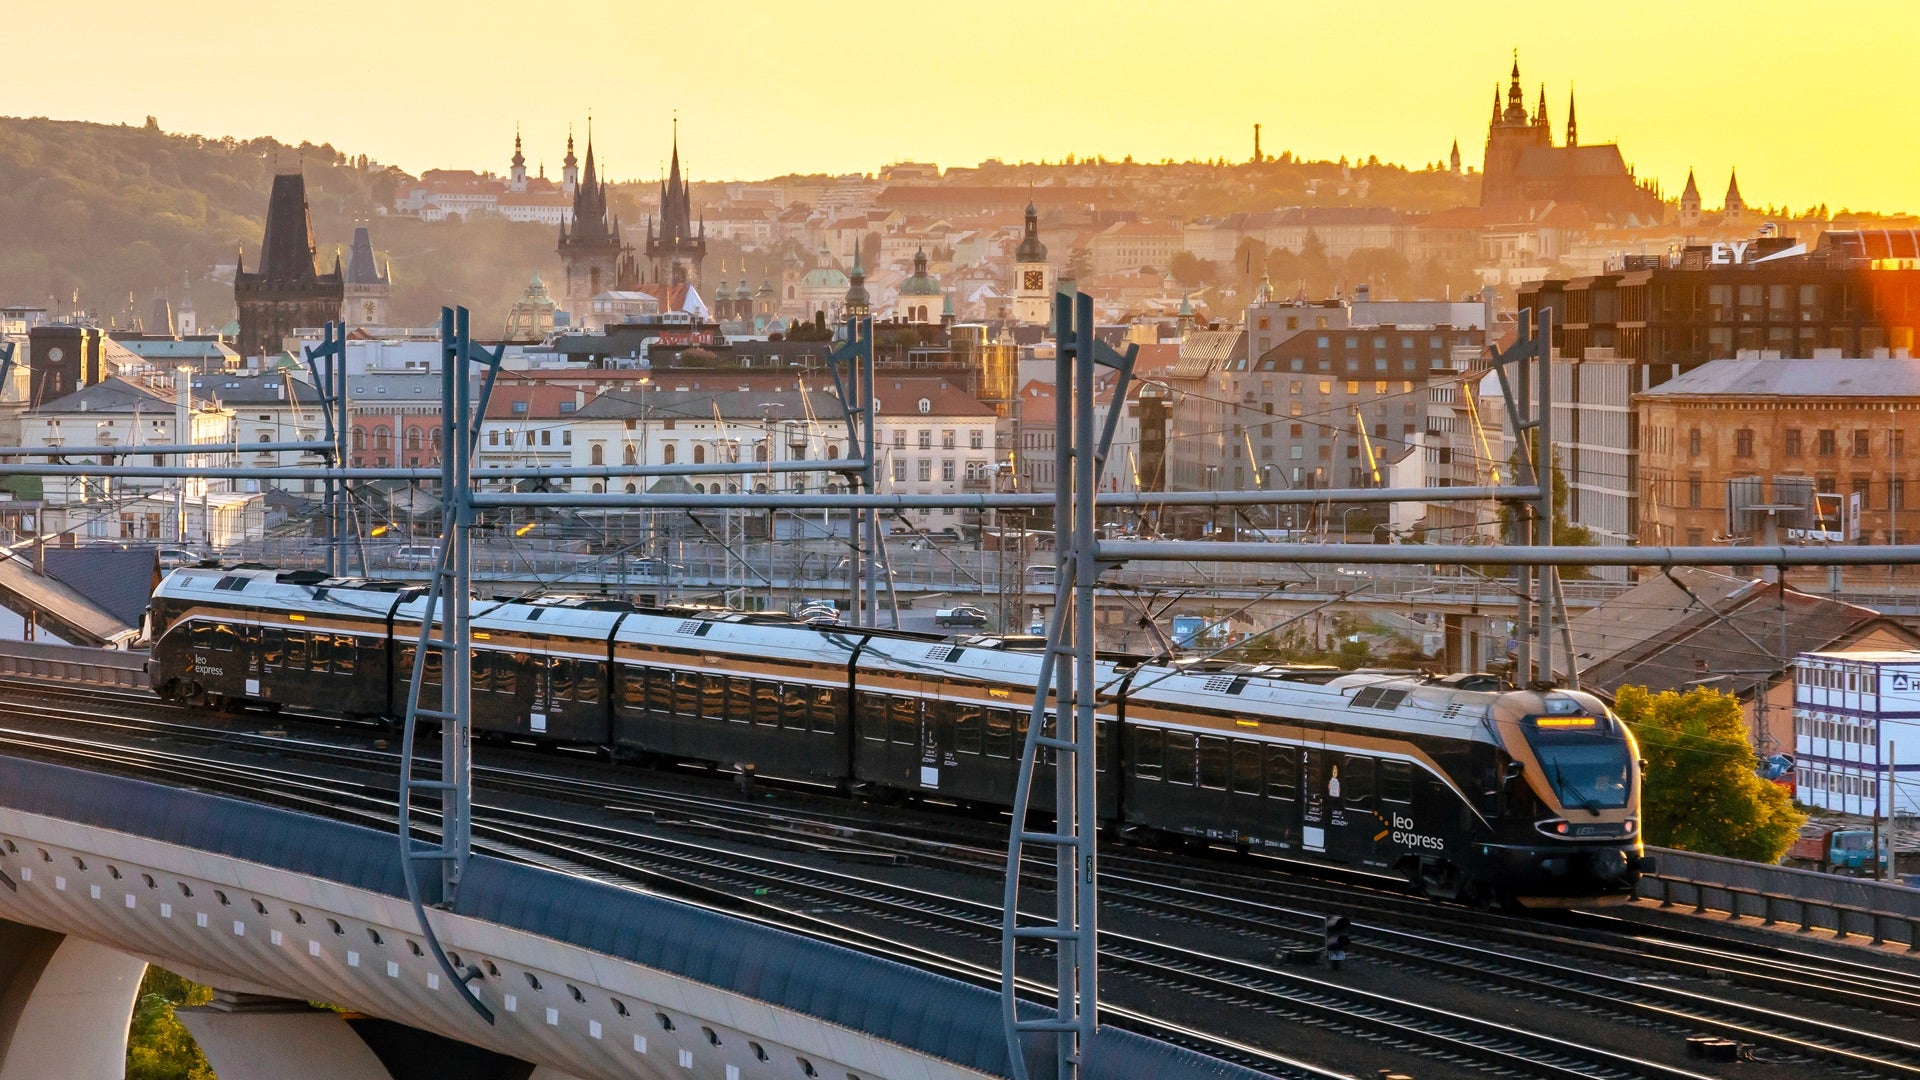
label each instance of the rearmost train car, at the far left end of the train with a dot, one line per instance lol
(228, 637)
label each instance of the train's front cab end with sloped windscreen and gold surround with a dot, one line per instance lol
(1570, 825)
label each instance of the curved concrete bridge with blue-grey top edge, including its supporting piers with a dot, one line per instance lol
(103, 875)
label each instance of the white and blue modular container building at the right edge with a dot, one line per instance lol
(1858, 718)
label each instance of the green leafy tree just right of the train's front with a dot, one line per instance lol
(1700, 791)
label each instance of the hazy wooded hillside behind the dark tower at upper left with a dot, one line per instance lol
(112, 210)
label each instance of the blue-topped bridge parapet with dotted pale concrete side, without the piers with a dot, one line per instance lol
(585, 977)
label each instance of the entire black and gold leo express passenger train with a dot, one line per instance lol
(1456, 785)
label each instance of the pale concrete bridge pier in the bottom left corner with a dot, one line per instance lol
(64, 1006)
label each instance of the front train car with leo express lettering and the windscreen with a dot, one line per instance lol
(1458, 787)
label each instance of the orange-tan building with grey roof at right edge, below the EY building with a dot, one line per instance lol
(1836, 422)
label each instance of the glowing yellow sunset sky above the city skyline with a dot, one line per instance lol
(1808, 109)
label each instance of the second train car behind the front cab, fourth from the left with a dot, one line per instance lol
(949, 720)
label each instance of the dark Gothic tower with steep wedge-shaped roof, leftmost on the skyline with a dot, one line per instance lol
(289, 291)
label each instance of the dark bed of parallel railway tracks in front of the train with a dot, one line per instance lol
(1207, 948)
